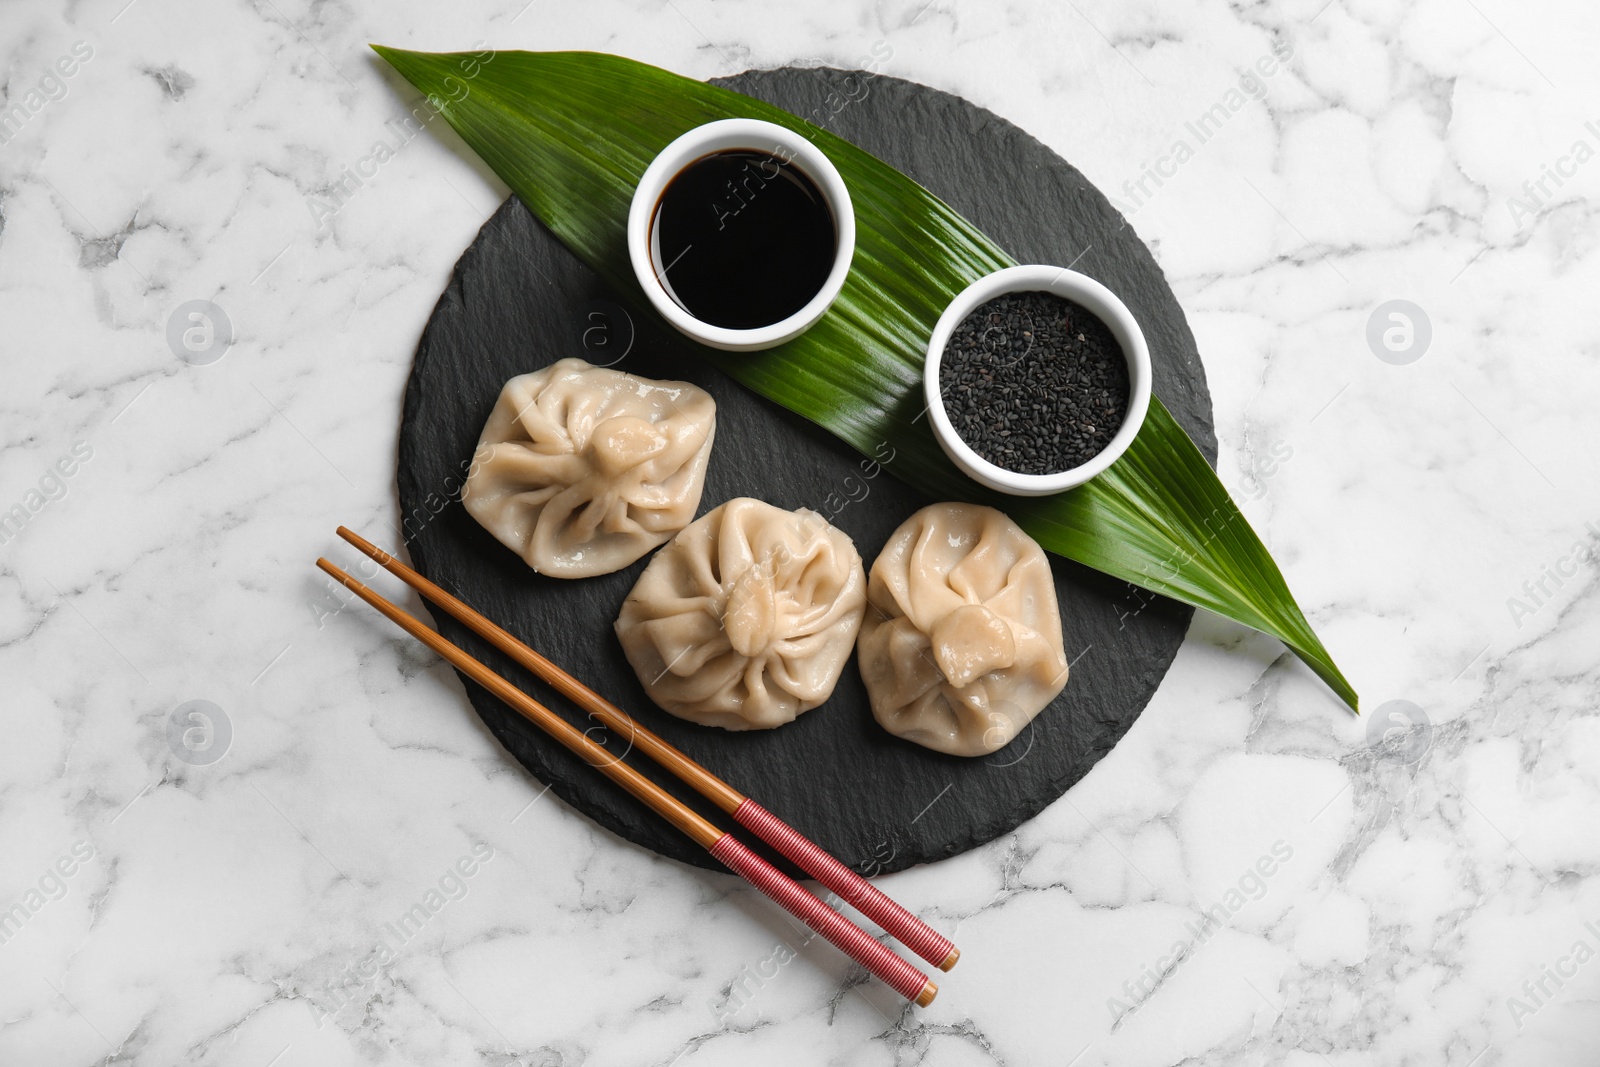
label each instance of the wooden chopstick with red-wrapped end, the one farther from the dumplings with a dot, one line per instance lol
(854, 941)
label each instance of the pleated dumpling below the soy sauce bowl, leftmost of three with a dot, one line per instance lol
(583, 470)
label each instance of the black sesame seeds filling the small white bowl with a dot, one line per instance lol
(1034, 383)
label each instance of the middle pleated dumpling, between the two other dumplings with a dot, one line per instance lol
(748, 618)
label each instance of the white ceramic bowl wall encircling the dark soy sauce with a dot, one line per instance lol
(724, 137)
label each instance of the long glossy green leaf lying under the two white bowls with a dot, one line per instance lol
(574, 132)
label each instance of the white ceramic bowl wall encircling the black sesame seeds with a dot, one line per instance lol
(1081, 290)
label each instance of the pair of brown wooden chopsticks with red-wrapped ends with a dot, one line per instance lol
(855, 890)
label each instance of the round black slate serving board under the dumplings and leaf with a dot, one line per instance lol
(519, 300)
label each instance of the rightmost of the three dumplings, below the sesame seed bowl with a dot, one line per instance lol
(962, 641)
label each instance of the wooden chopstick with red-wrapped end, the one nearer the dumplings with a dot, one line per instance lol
(850, 887)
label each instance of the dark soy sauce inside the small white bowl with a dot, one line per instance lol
(743, 239)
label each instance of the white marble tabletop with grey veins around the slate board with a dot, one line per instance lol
(1431, 901)
